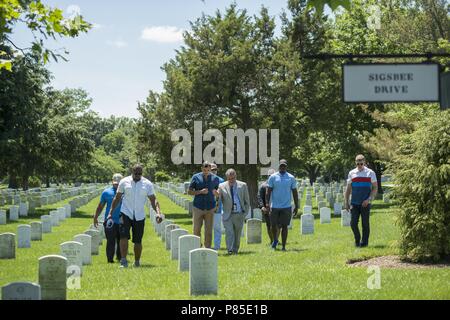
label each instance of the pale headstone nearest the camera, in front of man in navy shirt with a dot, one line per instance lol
(203, 272)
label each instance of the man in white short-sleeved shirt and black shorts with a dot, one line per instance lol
(134, 191)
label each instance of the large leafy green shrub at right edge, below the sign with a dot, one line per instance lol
(422, 175)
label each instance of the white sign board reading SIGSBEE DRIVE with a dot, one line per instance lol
(366, 83)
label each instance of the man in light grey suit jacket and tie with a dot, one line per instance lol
(236, 204)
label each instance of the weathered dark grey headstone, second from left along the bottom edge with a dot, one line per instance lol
(53, 277)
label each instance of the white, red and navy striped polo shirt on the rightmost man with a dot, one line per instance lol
(361, 182)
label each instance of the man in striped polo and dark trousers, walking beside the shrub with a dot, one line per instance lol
(362, 185)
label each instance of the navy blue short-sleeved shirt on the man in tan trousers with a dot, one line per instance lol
(204, 201)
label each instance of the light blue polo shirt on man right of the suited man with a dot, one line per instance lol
(282, 186)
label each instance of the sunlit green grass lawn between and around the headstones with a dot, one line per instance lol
(314, 267)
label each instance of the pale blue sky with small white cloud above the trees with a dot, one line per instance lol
(119, 61)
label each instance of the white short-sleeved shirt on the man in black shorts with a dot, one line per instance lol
(135, 195)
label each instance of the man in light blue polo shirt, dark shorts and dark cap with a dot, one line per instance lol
(280, 186)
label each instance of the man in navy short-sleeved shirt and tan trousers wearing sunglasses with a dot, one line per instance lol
(204, 187)
